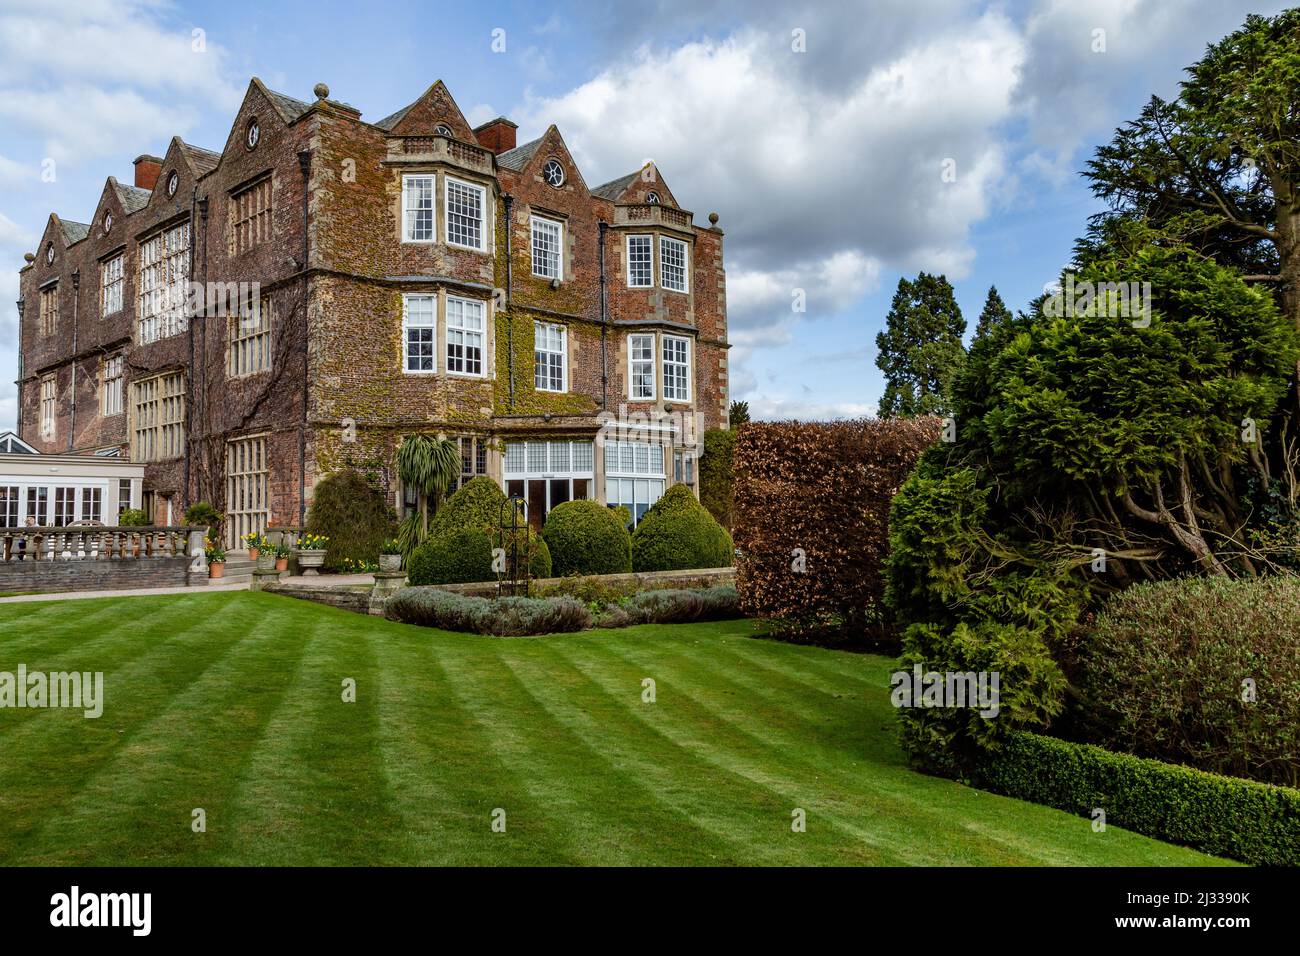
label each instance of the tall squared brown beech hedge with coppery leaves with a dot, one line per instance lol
(812, 521)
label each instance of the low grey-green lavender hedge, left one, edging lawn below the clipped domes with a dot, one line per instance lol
(505, 617)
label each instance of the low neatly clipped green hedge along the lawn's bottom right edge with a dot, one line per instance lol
(1225, 816)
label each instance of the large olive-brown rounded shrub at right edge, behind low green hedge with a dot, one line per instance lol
(1202, 672)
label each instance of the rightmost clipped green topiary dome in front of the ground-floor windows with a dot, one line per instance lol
(678, 535)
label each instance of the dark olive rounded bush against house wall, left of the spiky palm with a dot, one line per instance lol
(354, 516)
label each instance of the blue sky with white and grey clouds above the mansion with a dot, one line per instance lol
(825, 165)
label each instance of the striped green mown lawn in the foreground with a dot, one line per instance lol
(233, 704)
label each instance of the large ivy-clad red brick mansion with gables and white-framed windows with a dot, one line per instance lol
(375, 279)
